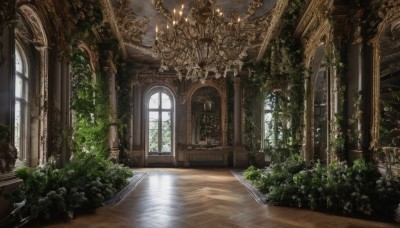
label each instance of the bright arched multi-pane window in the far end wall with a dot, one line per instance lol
(160, 109)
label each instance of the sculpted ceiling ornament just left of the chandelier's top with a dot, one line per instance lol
(131, 28)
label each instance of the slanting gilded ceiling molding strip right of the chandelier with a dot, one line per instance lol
(274, 21)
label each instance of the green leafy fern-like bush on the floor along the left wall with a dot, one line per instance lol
(83, 184)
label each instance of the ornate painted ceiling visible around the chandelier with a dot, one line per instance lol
(135, 21)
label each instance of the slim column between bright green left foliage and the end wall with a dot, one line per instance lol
(113, 141)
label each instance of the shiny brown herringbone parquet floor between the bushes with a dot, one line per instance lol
(202, 198)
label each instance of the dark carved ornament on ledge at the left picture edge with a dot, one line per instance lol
(8, 152)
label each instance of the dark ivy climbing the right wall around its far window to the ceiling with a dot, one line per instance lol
(280, 74)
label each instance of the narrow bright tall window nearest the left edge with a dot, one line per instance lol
(21, 103)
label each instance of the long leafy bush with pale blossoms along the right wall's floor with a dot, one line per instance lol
(337, 187)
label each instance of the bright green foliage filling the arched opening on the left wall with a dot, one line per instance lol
(90, 105)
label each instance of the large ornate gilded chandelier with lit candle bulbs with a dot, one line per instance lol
(205, 42)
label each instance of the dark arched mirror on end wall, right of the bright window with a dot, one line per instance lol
(206, 117)
